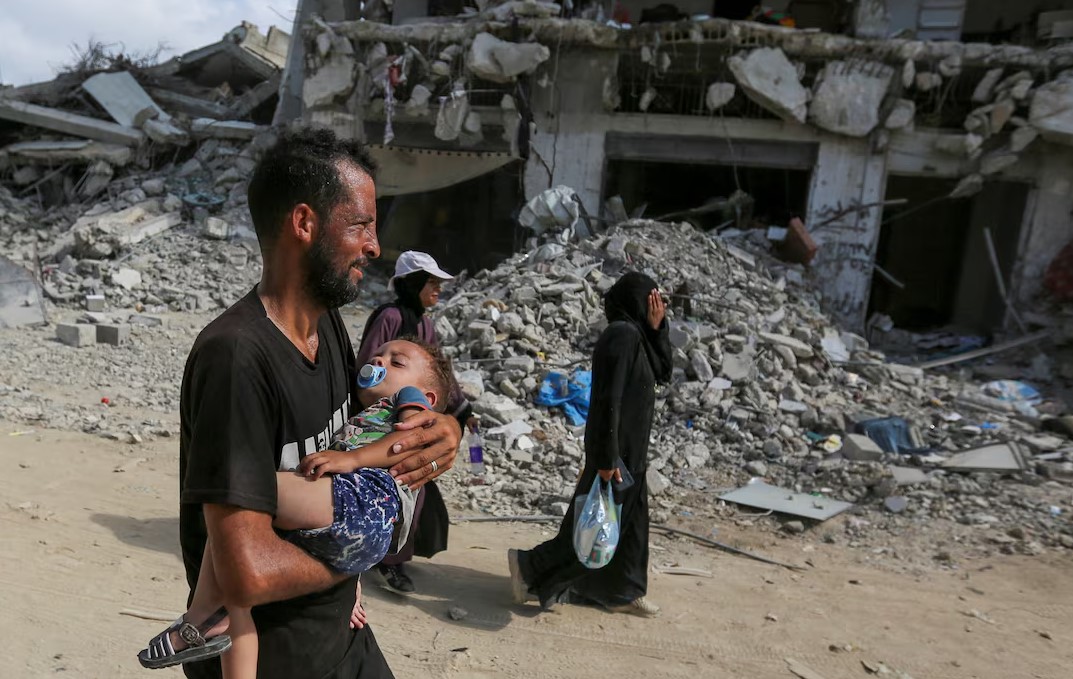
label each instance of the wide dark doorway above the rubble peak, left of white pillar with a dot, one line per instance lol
(685, 179)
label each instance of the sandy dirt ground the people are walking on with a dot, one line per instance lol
(89, 530)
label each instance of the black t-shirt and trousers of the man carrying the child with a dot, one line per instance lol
(254, 405)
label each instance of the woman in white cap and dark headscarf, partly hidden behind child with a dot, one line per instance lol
(417, 283)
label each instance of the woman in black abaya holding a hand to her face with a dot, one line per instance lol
(630, 358)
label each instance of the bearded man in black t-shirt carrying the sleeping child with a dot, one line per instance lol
(271, 381)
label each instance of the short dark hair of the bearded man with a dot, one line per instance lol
(301, 168)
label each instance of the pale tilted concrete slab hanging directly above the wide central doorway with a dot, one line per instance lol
(770, 80)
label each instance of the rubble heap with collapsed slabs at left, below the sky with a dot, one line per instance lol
(126, 183)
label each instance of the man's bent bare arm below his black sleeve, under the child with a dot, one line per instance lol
(254, 566)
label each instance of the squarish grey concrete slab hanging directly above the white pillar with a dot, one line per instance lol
(848, 97)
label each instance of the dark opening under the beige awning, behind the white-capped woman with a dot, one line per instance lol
(467, 226)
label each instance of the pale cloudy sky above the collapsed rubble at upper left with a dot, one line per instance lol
(36, 36)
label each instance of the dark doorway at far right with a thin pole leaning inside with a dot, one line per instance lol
(936, 249)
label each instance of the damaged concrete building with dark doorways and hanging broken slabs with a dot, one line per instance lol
(918, 164)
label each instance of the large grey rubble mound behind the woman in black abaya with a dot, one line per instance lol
(765, 387)
